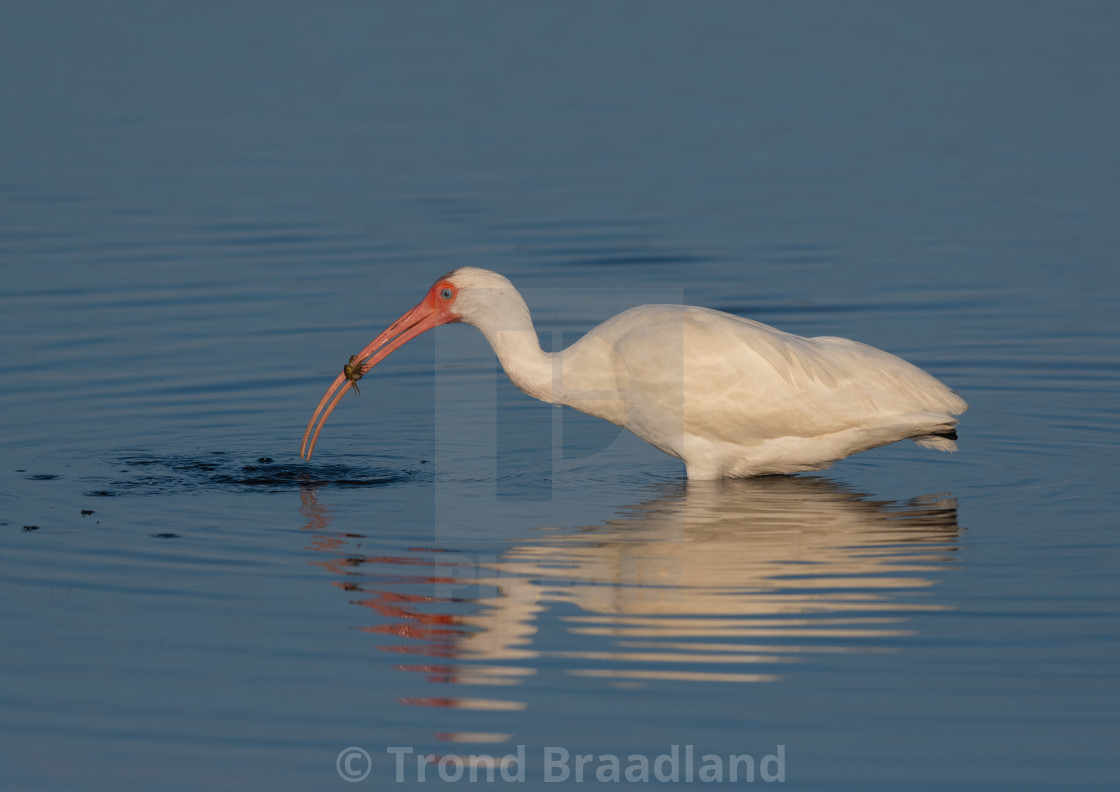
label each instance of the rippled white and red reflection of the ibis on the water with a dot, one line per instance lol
(726, 582)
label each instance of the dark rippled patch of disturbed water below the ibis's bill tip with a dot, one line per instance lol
(218, 471)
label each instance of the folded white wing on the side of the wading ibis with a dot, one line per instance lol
(694, 371)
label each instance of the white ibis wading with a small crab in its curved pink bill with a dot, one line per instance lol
(729, 396)
